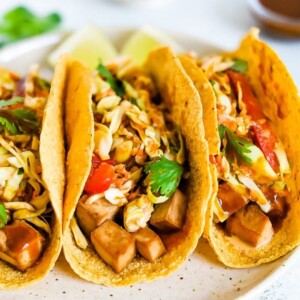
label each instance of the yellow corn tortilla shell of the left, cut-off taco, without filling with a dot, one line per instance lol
(52, 161)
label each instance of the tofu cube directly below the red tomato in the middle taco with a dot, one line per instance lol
(92, 215)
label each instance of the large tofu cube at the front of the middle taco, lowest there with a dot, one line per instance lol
(114, 244)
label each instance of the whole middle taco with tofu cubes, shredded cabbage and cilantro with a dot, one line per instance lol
(133, 203)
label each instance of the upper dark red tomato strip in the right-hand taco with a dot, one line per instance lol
(248, 97)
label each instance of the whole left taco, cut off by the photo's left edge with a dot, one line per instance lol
(31, 175)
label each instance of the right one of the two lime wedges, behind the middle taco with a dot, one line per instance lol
(143, 41)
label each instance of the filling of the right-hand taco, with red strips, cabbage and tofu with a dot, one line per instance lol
(251, 199)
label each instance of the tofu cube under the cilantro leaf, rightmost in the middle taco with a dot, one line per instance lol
(170, 215)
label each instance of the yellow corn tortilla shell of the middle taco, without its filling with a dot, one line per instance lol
(168, 74)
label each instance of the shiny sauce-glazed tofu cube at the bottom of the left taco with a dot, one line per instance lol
(21, 245)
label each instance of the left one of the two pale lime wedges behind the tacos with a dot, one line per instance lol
(88, 45)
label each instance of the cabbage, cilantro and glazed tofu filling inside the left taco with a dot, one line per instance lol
(25, 210)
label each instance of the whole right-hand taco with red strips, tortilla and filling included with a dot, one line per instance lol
(253, 215)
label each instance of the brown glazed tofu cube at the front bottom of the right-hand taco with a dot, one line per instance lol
(251, 225)
